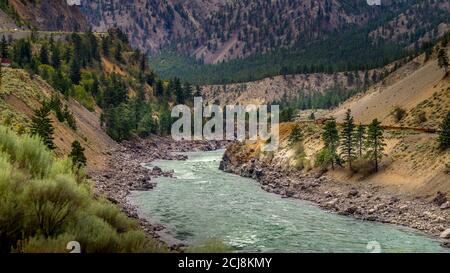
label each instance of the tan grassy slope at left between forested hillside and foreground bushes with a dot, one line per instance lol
(20, 95)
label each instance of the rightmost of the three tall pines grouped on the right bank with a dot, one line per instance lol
(375, 143)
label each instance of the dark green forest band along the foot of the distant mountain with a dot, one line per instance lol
(370, 45)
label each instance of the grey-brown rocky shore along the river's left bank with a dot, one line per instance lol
(125, 173)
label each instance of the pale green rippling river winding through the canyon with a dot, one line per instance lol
(203, 202)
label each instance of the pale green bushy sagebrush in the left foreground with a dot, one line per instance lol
(44, 205)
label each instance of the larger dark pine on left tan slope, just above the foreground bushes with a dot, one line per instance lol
(41, 125)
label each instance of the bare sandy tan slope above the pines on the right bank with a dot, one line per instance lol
(409, 88)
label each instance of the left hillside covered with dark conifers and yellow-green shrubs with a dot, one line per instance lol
(104, 74)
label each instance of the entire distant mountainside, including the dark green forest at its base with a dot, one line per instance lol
(257, 39)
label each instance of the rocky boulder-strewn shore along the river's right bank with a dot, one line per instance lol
(364, 201)
